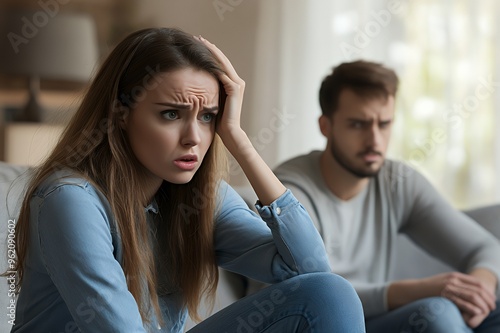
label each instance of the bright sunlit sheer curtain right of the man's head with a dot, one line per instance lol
(449, 95)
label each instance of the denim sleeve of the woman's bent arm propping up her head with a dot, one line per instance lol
(280, 243)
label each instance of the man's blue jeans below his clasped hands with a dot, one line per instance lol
(430, 315)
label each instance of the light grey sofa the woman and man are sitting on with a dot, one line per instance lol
(412, 262)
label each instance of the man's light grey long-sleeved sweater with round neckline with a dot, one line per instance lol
(360, 234)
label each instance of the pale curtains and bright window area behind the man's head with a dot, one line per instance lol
(445, 53)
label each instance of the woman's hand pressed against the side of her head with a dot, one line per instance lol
(228, 127)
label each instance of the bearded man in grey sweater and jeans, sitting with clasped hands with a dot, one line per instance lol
(360, 202)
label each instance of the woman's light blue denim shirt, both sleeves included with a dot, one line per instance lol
(74, 281)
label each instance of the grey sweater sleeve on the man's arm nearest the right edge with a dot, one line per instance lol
(446, 233)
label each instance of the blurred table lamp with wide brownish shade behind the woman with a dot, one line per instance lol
(44, 45)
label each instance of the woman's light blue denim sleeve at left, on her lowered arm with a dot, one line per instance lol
(77, 251)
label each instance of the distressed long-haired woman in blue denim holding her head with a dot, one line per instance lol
(124, 225)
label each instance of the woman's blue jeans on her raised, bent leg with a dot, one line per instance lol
(314, 302)
